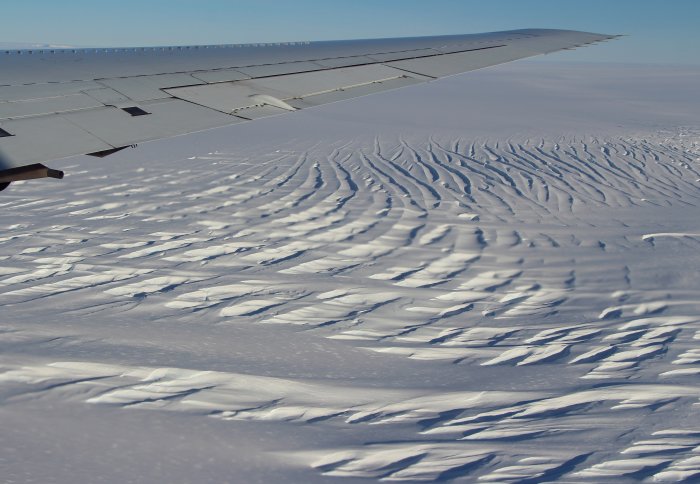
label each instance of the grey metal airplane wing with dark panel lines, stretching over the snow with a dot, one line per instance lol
(56, 103)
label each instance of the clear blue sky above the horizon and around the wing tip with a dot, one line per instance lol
(660, 31)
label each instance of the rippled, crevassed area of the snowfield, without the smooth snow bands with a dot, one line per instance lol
(503, 256)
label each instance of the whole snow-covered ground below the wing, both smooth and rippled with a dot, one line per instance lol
(492, 278)
